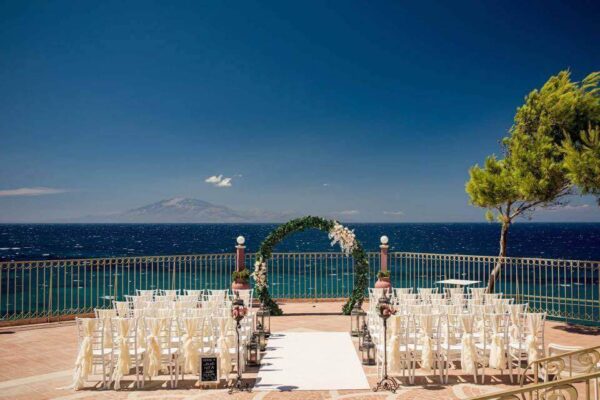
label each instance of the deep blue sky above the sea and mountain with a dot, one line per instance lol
(372, 111)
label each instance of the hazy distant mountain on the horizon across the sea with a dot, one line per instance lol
(184, 210)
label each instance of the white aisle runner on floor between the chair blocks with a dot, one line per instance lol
(311, 361)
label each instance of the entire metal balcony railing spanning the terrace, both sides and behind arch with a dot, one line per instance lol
(565, 289)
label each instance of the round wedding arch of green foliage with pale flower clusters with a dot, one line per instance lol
(338, 235)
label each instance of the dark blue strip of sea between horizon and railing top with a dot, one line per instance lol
(575, 241)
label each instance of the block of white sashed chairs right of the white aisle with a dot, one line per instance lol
(499, 335)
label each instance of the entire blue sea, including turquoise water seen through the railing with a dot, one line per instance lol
(64, 289)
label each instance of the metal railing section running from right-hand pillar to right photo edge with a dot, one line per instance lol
(566, 289)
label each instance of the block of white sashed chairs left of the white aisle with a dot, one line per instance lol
(161, 334)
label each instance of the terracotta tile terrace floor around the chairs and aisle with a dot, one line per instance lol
(36, 363)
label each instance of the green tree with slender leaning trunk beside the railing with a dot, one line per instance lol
(533, 172)
